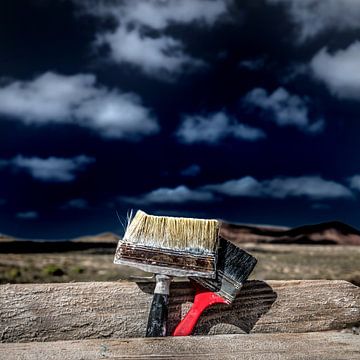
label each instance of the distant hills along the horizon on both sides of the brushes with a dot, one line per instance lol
(329, 233)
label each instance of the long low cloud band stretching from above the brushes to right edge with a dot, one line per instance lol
(311, 187)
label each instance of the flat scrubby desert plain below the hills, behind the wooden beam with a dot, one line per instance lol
(96, 264)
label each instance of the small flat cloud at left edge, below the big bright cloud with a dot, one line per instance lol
(52, 169)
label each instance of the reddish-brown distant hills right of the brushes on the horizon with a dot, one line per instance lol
(328, 233)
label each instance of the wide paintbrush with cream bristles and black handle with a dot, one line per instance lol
(168, 246)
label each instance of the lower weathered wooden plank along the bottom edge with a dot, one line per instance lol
(320, 346)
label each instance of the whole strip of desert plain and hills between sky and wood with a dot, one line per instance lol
(321, 251)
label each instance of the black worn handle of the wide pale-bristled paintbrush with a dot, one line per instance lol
(158, 314)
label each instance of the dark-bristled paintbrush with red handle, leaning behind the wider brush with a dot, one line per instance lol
(233, 268)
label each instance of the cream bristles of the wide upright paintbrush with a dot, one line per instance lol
(198, 236)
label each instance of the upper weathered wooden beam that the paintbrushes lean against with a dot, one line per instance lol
(71, 311)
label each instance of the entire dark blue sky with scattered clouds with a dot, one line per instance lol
(245, 111)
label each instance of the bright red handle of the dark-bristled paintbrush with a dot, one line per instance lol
(203, 299)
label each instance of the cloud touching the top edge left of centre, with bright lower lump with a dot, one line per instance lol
(155, 54)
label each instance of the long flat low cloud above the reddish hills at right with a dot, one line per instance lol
(312, 187)
